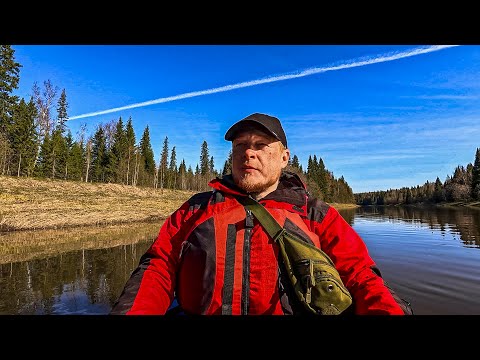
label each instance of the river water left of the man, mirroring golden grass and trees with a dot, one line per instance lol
(80, 273)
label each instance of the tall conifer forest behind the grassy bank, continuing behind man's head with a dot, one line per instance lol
(35, 142)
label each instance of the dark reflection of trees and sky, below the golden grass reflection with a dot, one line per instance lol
(77, 282)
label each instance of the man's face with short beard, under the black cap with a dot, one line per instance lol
(257, 161)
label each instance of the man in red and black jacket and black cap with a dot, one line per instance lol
(213, 257)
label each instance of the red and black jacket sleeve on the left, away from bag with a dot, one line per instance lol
(150, 288)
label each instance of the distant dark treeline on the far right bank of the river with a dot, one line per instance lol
(462, 186)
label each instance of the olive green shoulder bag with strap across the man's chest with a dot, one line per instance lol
(312, 273)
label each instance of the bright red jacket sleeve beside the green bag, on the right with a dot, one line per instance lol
(350, 255)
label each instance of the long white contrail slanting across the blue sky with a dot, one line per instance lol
(307, 72)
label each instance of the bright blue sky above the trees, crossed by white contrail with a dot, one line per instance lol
(383, 117)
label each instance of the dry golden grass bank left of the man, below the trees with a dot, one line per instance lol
(30, 204)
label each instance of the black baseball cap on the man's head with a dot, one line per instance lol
(268, 123)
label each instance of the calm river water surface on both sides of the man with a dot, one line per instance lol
(430, 256)
